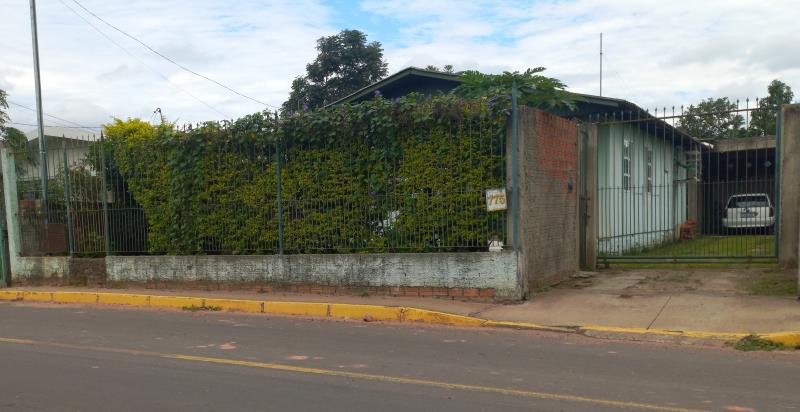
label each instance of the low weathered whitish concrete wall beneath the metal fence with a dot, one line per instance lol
(484, 270)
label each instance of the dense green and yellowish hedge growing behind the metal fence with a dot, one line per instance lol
(384, 175)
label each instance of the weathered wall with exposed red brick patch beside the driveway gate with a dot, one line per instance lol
(549, 235)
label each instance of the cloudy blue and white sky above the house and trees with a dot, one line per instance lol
(656, 53)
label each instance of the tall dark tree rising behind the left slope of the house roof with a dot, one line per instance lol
(344, 64)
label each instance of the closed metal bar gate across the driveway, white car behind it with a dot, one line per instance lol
(688, 186)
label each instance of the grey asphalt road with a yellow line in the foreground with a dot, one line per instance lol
(74, 358)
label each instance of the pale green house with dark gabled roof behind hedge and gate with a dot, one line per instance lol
(645, 166)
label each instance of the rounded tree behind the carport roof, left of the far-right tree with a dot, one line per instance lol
(713, 119)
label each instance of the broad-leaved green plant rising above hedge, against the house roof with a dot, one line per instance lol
(535, 89)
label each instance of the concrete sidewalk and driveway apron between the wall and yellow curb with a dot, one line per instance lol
(694, 300)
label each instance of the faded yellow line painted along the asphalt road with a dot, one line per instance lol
(359, 376)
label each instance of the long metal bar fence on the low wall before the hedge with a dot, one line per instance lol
(250, 193)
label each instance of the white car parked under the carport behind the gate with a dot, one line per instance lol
(749, 211)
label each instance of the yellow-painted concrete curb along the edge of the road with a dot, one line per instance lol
(374, 313)
